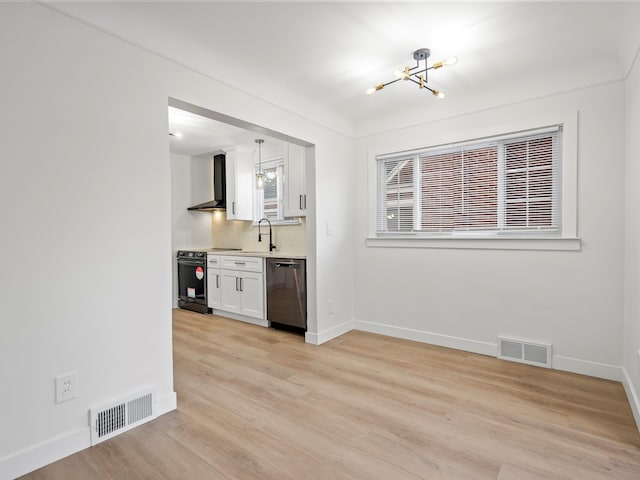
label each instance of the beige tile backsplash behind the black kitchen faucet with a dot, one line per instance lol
(288, 239)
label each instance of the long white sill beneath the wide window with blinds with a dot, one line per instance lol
(475, 243)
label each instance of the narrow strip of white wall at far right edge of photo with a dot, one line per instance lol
(632, 243)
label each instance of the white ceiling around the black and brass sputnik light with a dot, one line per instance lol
(321, 57)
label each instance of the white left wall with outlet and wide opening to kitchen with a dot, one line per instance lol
(85, 202)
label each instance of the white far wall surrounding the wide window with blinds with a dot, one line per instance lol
(464, 298)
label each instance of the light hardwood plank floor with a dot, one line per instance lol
(255, 403)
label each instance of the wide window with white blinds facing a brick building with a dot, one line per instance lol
(505, 184)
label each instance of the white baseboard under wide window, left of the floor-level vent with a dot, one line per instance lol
(483, 348)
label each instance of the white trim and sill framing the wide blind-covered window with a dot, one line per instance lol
(565, 239)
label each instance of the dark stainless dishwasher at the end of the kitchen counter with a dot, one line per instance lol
(287, 292)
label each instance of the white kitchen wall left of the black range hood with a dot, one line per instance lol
(190, 185)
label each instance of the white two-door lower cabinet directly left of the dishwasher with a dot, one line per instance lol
(242, 286)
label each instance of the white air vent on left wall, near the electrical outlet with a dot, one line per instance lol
(119, 416)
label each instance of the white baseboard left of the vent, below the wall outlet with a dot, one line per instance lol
(49, 451)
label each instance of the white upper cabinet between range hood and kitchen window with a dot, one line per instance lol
(239, 169)
